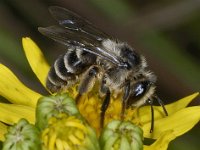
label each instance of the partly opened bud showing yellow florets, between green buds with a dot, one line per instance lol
(69, 132)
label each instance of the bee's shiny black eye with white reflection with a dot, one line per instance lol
(140, 88)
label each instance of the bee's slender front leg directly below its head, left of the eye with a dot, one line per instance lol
(125, 98)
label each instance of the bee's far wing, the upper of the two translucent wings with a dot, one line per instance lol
(72, 21)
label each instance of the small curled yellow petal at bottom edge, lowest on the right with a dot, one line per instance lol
(162, 142)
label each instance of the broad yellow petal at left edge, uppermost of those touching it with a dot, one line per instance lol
(14, 91)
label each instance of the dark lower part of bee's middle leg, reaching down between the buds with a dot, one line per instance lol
(104, 107)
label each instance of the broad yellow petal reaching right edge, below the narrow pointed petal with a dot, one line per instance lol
(180, 122)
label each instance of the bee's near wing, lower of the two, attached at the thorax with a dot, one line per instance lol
(75, 38)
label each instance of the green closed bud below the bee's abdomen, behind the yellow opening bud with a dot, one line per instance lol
(52, 106)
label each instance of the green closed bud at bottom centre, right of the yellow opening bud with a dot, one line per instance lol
(121, 135)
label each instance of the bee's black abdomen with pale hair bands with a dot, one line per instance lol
(67, 68)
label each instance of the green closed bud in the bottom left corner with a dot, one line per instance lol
(22, 136)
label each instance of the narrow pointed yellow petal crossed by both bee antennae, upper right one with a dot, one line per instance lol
(144, 113)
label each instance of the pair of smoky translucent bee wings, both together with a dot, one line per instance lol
(75, 31)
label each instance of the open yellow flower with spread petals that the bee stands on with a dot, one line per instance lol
(23, 102)
